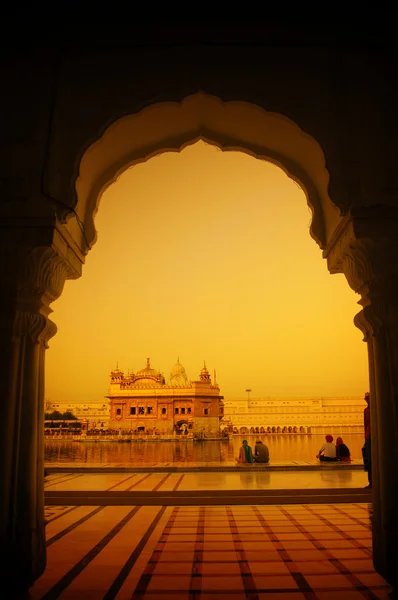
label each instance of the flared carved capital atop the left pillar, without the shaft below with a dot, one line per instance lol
(35, 261)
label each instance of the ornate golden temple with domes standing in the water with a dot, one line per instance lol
(146, 402)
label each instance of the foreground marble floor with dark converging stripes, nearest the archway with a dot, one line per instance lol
(283, 552)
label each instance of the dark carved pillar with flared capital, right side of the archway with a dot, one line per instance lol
(365, 248)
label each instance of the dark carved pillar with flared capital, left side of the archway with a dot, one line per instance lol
(34, 263)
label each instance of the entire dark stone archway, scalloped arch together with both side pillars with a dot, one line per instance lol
(362, 244)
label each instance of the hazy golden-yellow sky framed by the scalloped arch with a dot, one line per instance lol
(206, 255)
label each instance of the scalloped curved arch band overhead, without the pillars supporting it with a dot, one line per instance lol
(170, 126)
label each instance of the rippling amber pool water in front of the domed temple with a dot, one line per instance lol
(281, 447)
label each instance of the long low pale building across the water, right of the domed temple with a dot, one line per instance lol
(277, 415)
